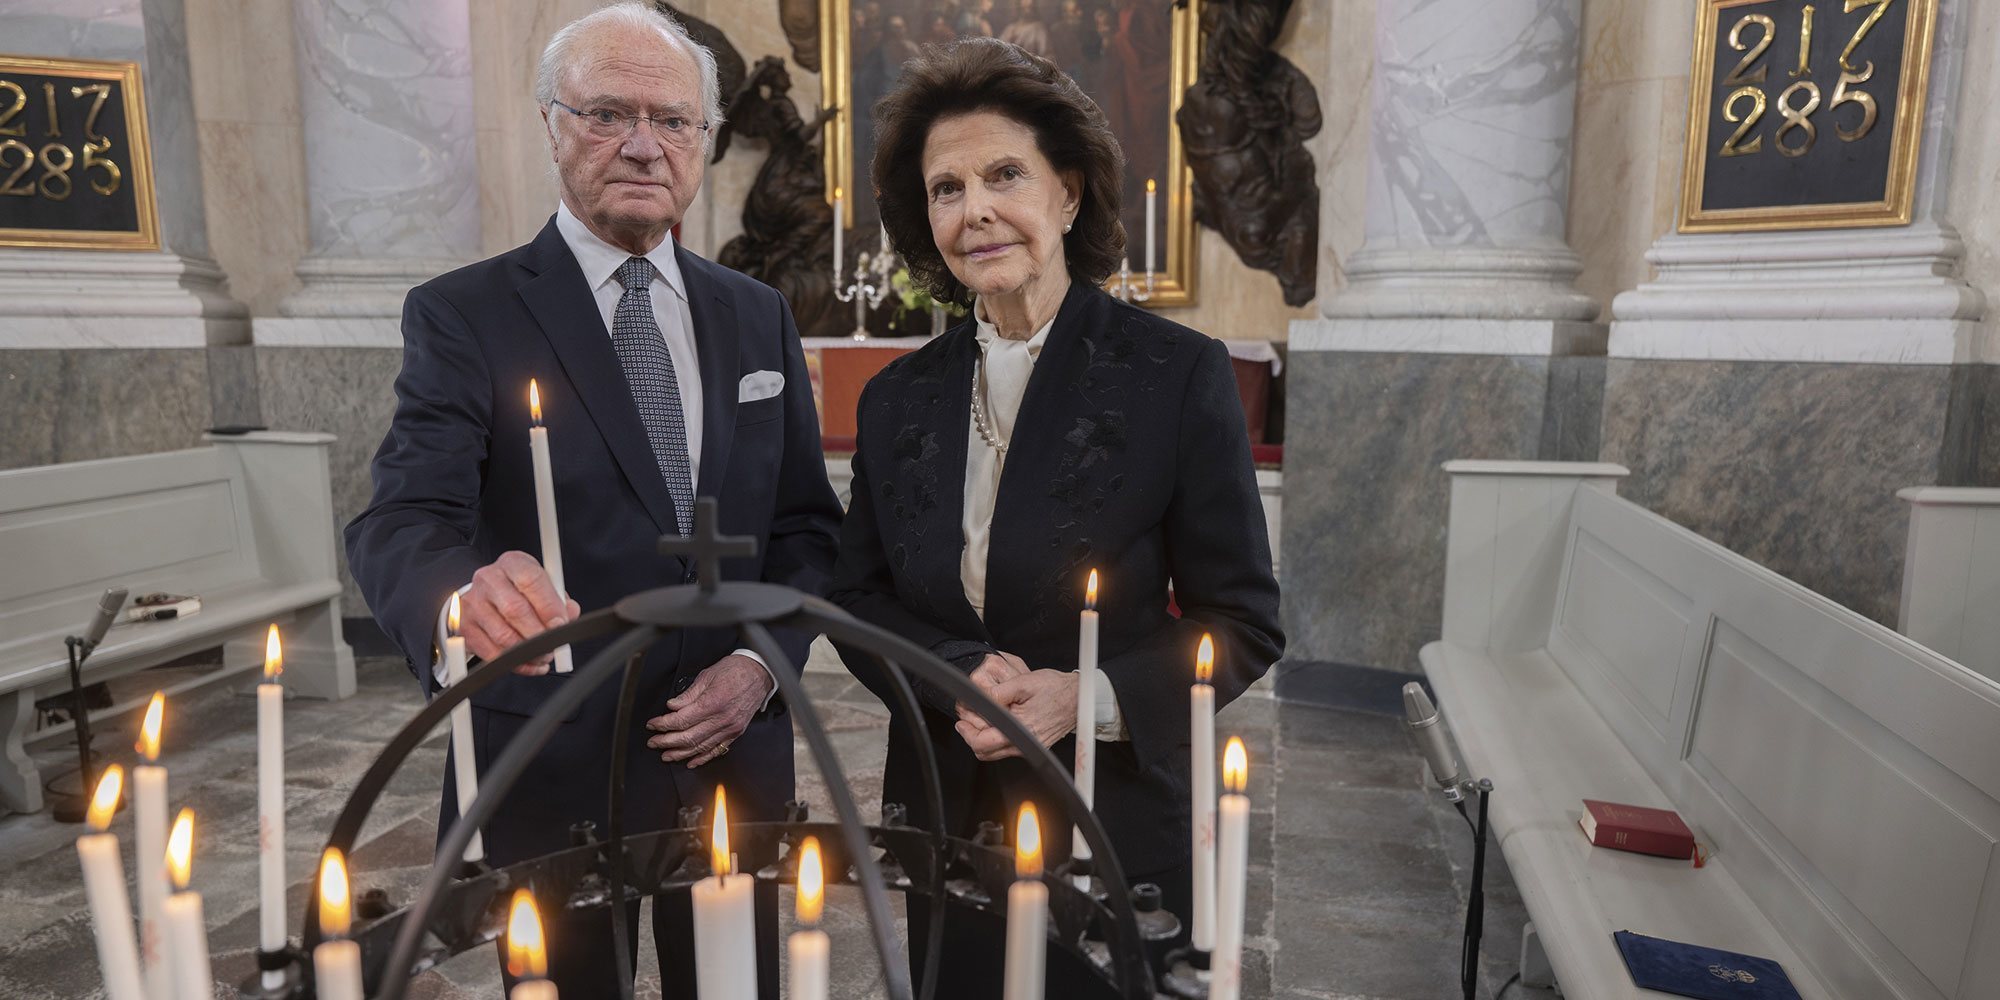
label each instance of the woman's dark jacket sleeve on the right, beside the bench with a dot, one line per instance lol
(1219, 555)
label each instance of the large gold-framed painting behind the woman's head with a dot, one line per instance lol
(1133, 57)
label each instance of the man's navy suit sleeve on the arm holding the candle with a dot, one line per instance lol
(413, 545)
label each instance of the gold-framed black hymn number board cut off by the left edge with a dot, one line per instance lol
(75, 159)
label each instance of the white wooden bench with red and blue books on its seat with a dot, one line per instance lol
(1845, 777)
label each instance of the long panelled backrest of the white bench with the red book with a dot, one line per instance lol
(1847, 777)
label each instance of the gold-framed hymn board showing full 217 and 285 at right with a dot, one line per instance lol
(1805, 113)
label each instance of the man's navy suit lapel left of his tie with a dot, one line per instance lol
(561, 303)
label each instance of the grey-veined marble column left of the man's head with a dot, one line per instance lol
(391, 165)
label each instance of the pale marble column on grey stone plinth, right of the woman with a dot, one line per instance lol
(1459, 331)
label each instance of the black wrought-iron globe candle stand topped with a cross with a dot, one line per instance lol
(1121, 935)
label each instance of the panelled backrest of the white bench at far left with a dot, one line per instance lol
(173, 521)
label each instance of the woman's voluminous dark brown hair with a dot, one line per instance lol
(987, 75)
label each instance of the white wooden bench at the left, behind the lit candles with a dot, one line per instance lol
(245, 523)
